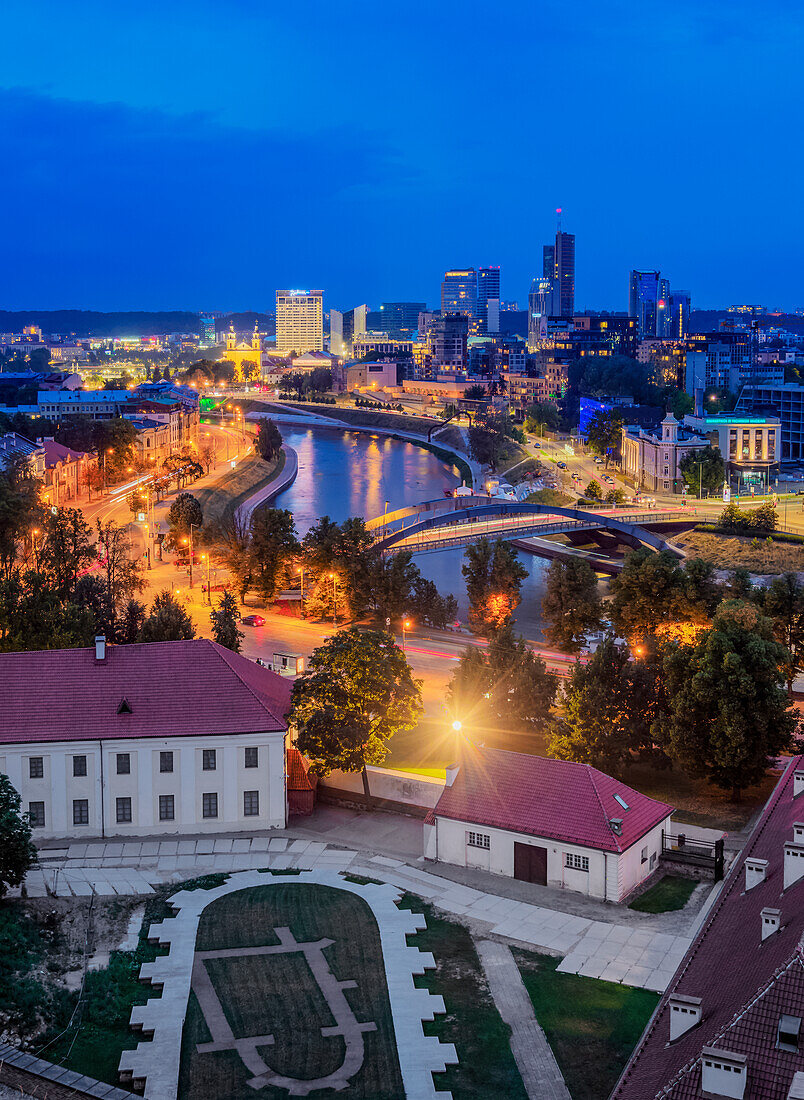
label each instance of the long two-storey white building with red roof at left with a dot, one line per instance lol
(130, 741)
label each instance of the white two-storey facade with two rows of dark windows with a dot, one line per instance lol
(123, 787)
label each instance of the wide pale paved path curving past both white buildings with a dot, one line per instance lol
(627, 952)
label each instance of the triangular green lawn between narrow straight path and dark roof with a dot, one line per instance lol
(591, 1026)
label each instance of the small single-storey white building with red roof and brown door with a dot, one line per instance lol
(545, 821)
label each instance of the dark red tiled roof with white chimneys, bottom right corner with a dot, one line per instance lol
(728, 966)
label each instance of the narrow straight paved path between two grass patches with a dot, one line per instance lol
(537, 1065)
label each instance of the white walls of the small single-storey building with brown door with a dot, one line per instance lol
(608, 876)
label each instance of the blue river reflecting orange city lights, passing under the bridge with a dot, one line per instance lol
(348, 474)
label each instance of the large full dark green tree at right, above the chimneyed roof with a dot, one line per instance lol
(730, 716)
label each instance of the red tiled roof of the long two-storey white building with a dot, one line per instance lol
(173, 689)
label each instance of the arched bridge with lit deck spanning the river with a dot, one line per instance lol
(456, 522)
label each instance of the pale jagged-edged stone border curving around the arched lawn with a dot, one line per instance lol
(158, 1062)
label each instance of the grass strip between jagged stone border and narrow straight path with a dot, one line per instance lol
(487, 1066)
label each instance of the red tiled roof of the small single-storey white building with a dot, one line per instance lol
(554, 799)
